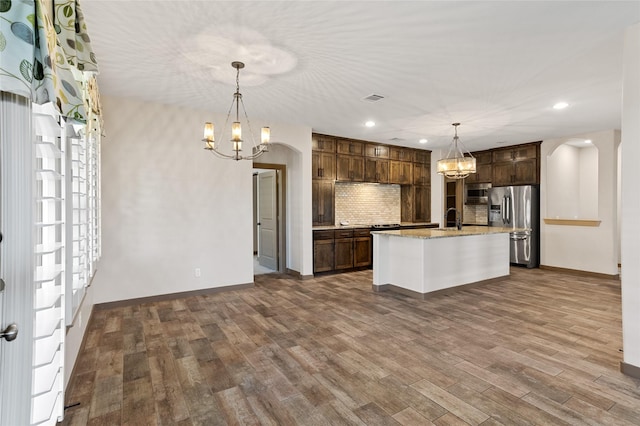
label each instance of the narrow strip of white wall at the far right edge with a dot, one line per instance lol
(630, 199)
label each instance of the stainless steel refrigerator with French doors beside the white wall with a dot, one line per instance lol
(518, 207)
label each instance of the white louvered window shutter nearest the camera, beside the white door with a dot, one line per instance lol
(47, 404)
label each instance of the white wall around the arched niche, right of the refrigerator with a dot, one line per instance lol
(592, 249)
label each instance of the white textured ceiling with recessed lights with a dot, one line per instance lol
(496, 67)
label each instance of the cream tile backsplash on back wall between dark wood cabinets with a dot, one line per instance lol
(367, 203)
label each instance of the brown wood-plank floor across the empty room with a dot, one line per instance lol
(538, 348)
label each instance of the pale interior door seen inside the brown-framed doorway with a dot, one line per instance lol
(268, 220)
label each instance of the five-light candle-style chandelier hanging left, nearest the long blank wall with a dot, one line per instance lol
(236, 129)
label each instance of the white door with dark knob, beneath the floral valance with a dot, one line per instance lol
(16, 258)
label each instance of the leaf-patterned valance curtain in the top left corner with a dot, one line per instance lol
(45, 55)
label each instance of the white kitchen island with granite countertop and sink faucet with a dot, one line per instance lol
(419, 262)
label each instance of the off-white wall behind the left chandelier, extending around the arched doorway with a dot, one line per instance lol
(168, 206)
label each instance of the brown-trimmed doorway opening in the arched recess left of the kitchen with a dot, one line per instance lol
(269, 218)
